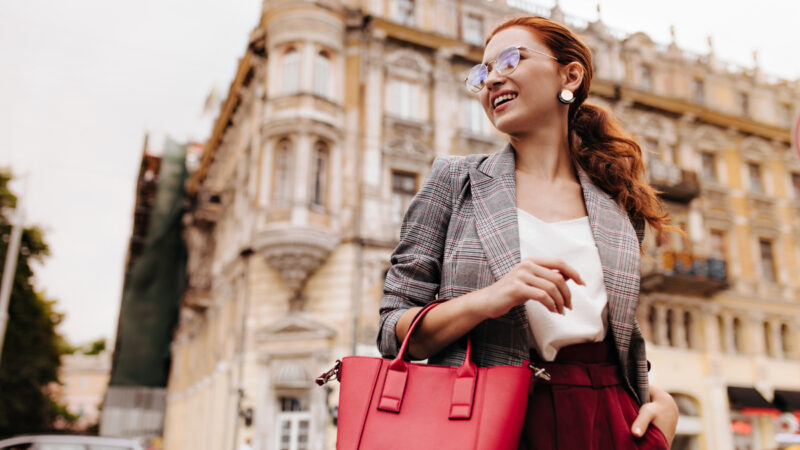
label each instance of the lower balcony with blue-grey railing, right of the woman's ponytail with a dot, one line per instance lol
(684, 273)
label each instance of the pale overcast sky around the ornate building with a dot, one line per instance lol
(82, 81)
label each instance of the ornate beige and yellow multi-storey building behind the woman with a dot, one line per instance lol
(333, 119)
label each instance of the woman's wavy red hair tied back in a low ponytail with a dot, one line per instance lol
(598, 143)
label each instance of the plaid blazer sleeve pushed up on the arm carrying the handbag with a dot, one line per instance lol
(415, 274)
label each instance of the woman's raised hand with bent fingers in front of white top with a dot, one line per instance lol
(537, 278)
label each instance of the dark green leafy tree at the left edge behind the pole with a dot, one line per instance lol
(30, 359)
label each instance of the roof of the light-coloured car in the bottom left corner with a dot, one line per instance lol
(67, 442)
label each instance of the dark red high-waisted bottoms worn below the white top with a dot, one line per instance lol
(585, 405)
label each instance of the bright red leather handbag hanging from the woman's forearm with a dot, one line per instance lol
(394, 404)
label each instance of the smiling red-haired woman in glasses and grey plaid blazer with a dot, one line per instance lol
(536, 249)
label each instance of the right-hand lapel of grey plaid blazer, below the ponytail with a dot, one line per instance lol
(618, 247)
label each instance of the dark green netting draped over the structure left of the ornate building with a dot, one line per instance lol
(153, 289)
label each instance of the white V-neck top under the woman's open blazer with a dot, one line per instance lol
(572, 241)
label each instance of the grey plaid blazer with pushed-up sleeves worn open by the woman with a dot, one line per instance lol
(460, 234)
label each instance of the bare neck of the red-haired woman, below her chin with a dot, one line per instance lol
(543, 152)
